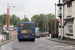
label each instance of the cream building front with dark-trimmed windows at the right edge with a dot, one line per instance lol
(69, 19)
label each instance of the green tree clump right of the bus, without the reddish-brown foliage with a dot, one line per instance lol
(42, 20)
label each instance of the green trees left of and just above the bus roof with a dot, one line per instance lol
(13, 19)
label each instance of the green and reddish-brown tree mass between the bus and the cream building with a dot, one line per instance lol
(42, 20)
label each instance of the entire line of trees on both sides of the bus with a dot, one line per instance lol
(40, 20)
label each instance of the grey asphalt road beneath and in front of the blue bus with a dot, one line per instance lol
(39, 44)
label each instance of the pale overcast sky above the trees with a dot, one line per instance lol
(28, 7)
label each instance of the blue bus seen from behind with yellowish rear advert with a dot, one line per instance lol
(26, 30)
